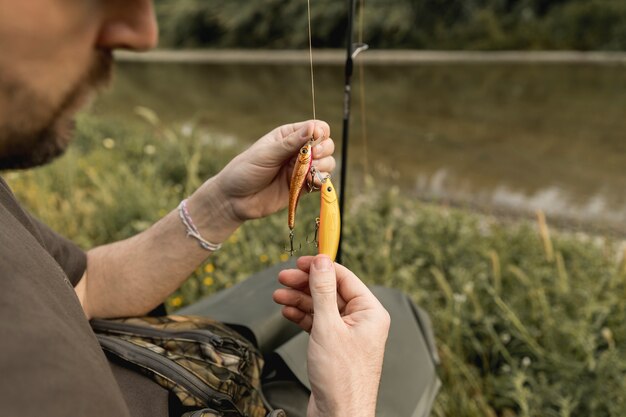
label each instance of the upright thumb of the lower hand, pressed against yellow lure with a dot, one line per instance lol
(323, 286)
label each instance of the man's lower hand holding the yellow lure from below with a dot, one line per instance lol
(348, 327)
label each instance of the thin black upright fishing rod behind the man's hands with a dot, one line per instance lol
(353, 49)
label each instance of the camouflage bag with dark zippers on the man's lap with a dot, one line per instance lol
(209, 367)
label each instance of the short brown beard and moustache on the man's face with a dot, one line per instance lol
(43, 132)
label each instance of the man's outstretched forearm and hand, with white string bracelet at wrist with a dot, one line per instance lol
(131, 277)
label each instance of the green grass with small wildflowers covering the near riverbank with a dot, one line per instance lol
(528, 322)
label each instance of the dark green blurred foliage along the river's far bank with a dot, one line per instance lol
(418, 24)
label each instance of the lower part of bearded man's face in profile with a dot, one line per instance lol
(54, 55)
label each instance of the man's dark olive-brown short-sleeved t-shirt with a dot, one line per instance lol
(50, 361)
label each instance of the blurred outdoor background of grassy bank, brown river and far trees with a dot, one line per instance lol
(489, 185)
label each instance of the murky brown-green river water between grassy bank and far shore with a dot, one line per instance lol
(504, 138)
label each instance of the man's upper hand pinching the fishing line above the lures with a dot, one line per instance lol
(256, 183)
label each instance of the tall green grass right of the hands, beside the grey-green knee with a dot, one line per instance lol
(519, 335)
